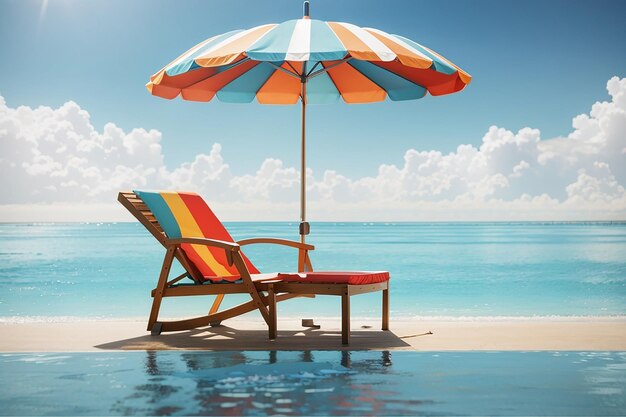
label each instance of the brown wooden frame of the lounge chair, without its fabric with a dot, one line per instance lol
(266, 304)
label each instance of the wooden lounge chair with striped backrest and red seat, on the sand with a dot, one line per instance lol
(185, 225)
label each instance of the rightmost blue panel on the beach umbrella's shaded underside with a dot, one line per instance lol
(397, 88)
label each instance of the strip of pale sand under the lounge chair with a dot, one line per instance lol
(250, 333)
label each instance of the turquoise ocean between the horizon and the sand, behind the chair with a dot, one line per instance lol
(106, 270)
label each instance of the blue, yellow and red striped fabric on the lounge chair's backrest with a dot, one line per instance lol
(182, 214)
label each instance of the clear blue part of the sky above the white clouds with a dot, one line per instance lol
(535, 63)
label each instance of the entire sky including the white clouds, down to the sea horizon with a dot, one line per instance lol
(88, 127)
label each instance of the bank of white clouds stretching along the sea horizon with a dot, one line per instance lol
(54, 165)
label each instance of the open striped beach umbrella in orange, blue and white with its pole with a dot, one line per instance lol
(310, 61)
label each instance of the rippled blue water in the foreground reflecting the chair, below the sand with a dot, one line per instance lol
(314, 383)
